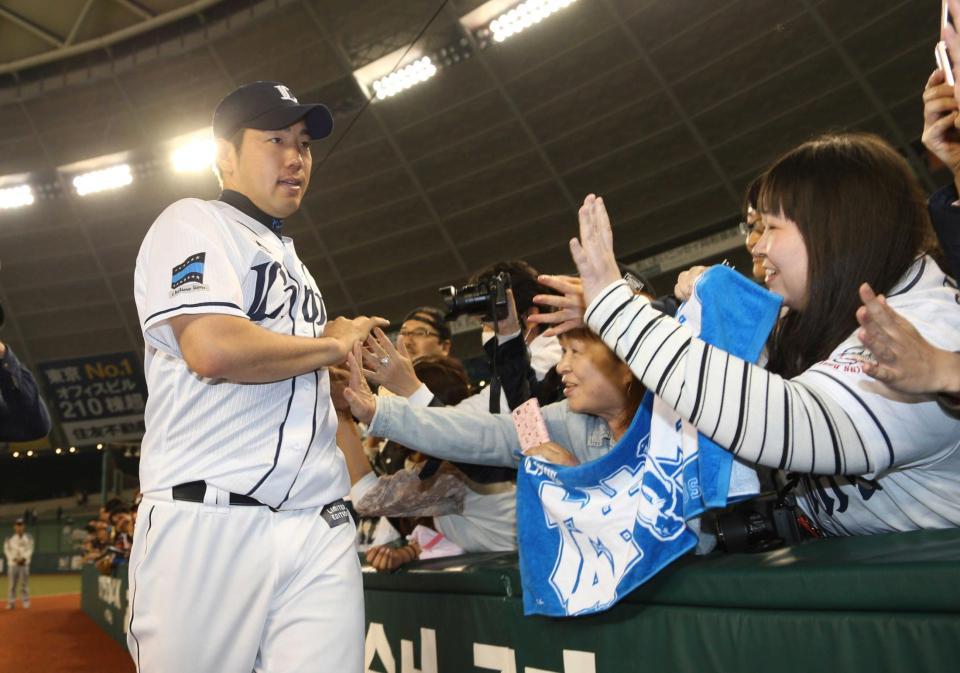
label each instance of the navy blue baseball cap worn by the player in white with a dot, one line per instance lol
(268, 106)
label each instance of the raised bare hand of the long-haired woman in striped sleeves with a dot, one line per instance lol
(593, 251)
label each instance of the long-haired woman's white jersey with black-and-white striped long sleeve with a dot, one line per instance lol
(889, 461)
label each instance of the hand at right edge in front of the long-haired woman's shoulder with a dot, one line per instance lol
(905, 361)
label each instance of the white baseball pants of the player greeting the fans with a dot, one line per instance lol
(235, 589)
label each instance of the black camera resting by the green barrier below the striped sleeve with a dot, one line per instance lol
(760, 525)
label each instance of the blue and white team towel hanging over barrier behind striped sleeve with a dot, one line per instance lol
(591, 533)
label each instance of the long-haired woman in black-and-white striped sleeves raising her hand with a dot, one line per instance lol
(839, 211)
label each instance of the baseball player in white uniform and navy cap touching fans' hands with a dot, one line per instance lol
(243, 557)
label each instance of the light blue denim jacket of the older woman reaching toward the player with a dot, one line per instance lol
(485, 439)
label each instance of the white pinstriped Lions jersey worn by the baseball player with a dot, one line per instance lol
(275, 442)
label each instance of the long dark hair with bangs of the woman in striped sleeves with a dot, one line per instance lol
(863, 218)
